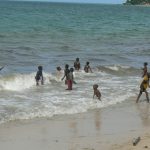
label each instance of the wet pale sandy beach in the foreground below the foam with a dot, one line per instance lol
(111, 128)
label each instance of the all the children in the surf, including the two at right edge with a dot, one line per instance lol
(69, 78)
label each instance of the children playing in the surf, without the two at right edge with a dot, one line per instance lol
(68, 76)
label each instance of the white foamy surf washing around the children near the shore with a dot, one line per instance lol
(52, 98)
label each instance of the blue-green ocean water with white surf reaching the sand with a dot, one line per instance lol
(113, 38)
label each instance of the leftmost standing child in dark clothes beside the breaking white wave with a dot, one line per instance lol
(39, 76)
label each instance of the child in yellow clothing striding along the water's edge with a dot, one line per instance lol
(144, 85)
